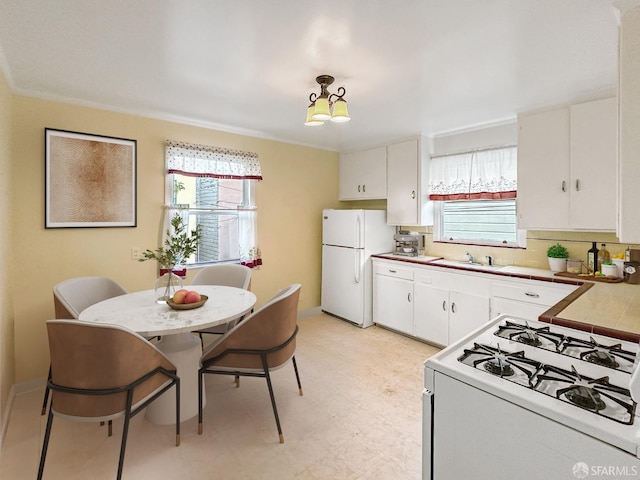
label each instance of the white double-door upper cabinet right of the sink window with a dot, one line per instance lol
(567, 167)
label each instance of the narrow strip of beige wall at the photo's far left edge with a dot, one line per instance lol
(7, 361)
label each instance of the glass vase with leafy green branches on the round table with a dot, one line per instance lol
(178, 246)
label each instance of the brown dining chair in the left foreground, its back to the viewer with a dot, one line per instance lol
(103, 372)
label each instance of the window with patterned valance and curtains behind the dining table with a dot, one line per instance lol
(214, 188)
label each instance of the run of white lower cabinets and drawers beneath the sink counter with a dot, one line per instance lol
(441, 306)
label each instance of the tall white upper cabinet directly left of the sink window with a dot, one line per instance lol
(407, 185)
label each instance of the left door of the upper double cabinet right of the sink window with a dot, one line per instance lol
(543, 170)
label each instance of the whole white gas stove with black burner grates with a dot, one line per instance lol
(530, 400)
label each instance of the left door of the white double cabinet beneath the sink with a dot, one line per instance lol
(431, 313)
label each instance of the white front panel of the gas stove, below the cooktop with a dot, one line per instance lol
(476, 434)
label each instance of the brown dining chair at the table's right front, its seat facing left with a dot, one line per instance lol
(261, 343)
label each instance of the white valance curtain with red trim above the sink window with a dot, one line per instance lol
(484, 174)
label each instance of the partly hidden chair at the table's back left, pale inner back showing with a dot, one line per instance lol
(72, 296)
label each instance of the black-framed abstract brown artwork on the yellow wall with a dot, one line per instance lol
(90, 180)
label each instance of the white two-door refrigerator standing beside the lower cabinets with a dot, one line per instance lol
(349, 238)
